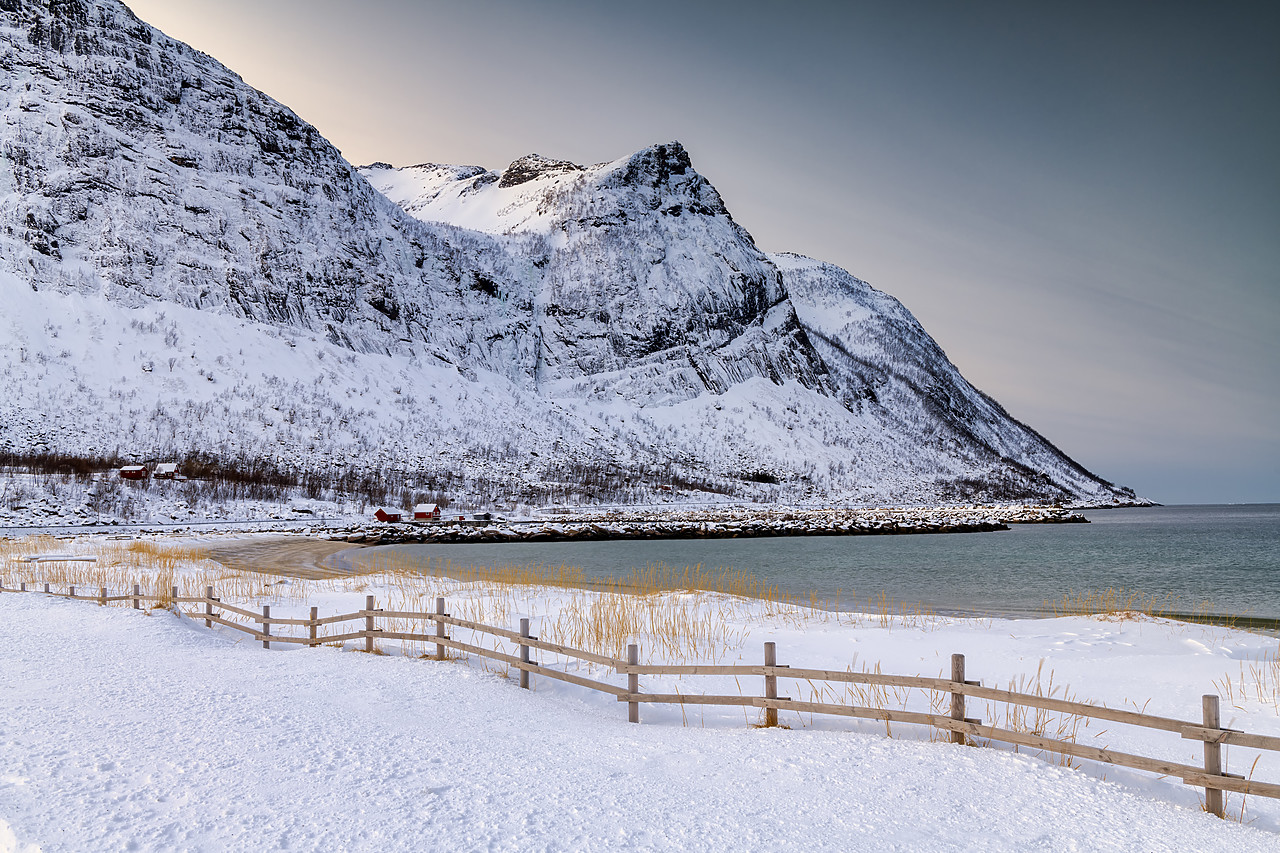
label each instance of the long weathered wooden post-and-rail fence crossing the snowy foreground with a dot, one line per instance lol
(1213, 777)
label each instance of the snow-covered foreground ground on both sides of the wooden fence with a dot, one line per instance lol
(134, 731)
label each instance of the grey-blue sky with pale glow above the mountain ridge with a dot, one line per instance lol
(1080, 202)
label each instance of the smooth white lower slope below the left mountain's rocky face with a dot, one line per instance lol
(89, 376)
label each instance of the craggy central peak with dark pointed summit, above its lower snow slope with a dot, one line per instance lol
(641, 266)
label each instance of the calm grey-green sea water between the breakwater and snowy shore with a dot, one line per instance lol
(1228, 556)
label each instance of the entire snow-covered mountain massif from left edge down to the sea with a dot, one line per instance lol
(188, 266)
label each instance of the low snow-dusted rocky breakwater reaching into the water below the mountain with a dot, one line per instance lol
(730, 523)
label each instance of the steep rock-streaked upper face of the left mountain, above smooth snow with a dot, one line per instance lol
(143, 170)
